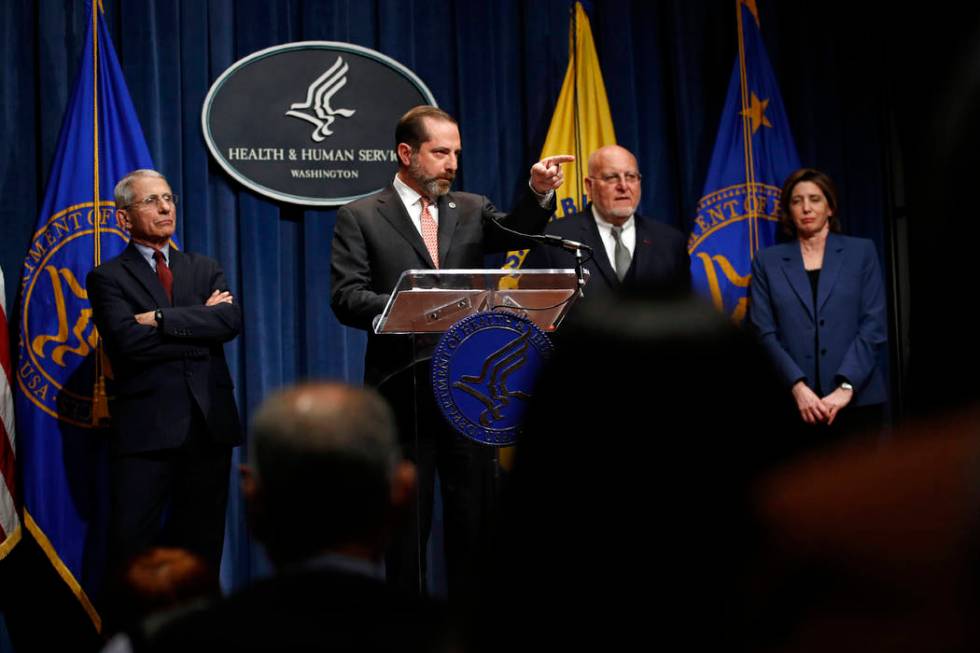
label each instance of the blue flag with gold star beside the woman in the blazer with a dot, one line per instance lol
(738, 213)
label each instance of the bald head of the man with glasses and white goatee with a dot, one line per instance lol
(613, 183)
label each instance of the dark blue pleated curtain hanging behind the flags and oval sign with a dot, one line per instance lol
(497, 65)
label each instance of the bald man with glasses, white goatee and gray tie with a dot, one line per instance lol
(629, 251)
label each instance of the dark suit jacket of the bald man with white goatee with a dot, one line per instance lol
(660, 259)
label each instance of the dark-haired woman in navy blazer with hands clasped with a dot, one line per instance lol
(818, 306)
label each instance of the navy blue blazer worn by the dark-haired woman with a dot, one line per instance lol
(849, 316)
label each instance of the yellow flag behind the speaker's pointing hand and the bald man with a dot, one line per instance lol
(581, 123)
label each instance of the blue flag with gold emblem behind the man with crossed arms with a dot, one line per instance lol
(60, 394)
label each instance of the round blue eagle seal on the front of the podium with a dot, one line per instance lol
(483, 373)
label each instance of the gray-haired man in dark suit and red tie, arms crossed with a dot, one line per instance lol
(164, 316)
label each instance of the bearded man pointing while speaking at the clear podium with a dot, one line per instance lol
(417, 223)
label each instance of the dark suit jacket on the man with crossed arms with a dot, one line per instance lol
(159, 375)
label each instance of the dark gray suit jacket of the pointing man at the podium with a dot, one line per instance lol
(375, 241)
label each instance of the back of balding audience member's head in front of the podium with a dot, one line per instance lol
(324, 455)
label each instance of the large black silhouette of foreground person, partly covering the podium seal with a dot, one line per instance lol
(630, 515)
